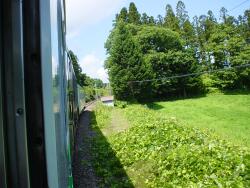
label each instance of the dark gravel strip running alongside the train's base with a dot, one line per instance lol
(83, 172)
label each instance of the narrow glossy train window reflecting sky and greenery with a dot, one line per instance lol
(58, 74)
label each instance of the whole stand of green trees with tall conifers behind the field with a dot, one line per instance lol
(147, 49)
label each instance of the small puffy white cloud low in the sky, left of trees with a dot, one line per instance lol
(93, 67)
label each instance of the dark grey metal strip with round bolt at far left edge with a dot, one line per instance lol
(14, 162)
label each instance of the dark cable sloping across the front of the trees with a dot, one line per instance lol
(190, 74)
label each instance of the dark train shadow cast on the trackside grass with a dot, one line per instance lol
(107, 166)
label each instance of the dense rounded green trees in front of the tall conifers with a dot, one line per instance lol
(149, 52)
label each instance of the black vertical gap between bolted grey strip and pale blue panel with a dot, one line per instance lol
(33, 94)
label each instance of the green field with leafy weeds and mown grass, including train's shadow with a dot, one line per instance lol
(163, 144)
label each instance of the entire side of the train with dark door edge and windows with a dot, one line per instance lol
(39, 96)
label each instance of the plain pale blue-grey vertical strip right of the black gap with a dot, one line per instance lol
(47, 77)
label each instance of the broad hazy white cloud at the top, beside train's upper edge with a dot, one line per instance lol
(84, 12)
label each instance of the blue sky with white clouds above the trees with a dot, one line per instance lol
(89, 23)
